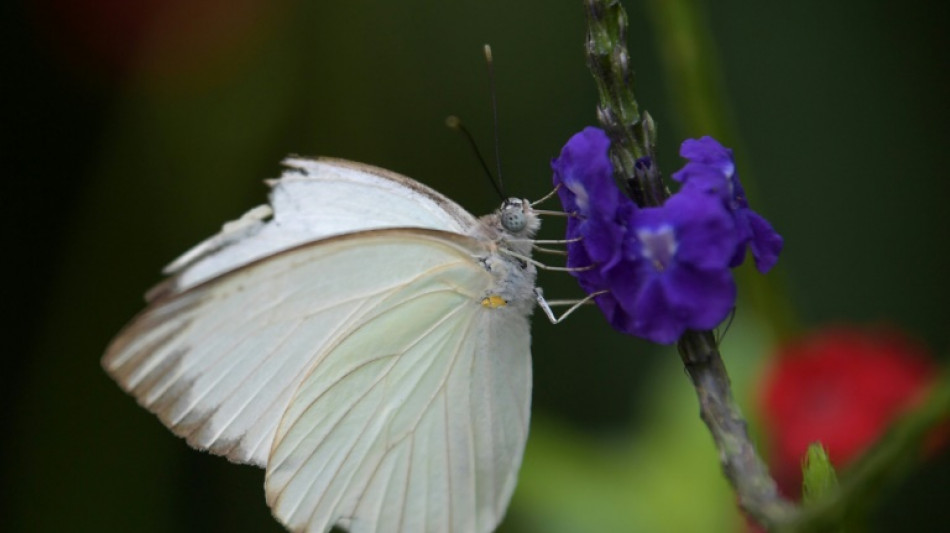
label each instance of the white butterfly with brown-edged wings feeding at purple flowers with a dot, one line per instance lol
(363, 338)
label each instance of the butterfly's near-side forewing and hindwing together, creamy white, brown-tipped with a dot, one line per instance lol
(361, 370)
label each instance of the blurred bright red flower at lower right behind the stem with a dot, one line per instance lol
(841, 386)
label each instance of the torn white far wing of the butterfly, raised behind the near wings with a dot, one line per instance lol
(315, 199)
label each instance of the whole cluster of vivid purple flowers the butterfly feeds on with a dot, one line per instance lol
(661, 270)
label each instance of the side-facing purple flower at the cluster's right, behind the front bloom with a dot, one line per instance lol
(711, 169)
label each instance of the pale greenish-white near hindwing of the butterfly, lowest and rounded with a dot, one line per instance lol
(416, 420)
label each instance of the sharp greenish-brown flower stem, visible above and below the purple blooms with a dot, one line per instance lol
(632, 137)
